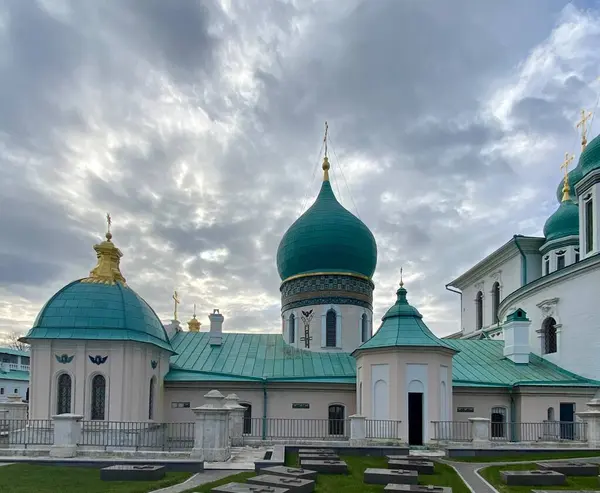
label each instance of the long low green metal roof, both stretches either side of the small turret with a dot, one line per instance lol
(253, 357)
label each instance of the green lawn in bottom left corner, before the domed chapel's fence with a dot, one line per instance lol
(28, 478)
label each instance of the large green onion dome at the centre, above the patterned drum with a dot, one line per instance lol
(327, 238)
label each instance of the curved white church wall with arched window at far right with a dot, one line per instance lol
(571, 299)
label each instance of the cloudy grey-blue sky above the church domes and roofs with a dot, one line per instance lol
(198, 126)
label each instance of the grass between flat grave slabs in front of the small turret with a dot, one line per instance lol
(353, 482)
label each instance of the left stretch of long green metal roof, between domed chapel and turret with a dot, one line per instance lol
(254, 357)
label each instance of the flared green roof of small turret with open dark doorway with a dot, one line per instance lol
(403, 326)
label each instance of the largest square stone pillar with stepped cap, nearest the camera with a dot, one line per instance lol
(211, 430)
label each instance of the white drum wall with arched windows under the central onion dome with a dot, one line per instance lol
(348, 326)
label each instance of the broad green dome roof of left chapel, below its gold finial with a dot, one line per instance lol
(98, 311)
